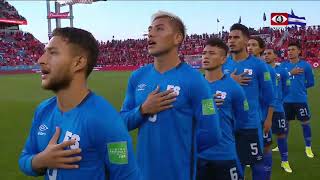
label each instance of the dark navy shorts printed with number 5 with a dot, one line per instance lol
(249, 145)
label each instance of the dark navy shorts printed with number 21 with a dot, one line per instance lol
(299, 110)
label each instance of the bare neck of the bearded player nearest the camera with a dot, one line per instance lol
(72, 96)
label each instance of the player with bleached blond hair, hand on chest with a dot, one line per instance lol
(170, 103)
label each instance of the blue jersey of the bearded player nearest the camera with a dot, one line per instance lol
(98, 130)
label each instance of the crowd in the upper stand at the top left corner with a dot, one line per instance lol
(8, 11)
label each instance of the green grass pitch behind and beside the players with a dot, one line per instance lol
(20, 94)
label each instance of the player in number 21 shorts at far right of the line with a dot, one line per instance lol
(295, 102)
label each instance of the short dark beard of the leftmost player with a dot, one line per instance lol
(58, 83)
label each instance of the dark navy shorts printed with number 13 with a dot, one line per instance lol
(279, 123)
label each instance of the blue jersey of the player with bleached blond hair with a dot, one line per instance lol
(166, 146)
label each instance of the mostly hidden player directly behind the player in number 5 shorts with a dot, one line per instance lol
(255, 47)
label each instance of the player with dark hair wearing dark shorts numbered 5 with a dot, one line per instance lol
(253, 75)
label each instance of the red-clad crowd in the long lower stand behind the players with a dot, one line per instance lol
(18, 48)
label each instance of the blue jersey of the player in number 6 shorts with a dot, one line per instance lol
(233, 115)
